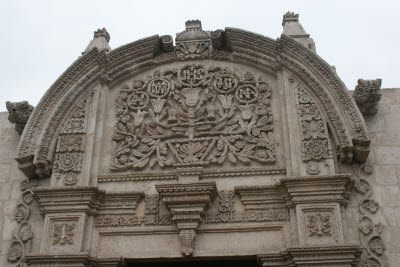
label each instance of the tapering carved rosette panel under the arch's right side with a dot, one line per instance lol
(315, 143)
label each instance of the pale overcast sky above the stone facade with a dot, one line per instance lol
(40, 39)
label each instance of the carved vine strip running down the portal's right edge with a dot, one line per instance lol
(370, 227)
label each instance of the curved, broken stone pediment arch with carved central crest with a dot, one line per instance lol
(100, 69)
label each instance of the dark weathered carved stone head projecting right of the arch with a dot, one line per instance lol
(367, 95)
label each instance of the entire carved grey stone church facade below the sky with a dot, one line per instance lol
(225, 146)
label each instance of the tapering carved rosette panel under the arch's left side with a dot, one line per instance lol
(70, 147)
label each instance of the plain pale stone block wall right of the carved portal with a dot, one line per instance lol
(384, 131)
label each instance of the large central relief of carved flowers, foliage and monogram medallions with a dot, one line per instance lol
(193, 116)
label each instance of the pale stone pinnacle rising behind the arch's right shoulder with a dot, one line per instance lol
(293, 28)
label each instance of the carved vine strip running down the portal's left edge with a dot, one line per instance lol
(22, 240)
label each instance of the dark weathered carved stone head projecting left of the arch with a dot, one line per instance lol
(19, 113)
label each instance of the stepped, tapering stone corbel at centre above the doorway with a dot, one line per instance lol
(187, 203)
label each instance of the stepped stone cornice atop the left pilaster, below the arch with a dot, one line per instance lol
(88, 199)
